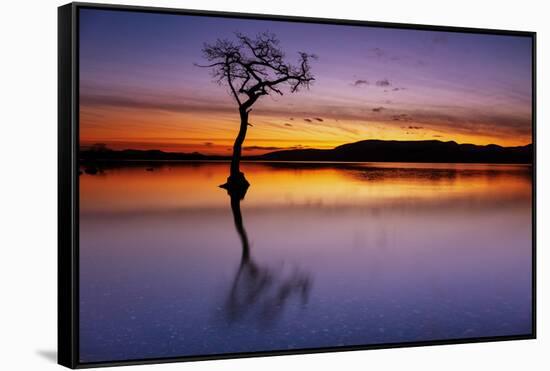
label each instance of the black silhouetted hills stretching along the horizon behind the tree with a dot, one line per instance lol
(362, 151)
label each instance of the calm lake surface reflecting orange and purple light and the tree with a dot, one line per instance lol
(315, 255)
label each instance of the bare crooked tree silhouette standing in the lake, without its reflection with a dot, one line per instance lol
(252, 68)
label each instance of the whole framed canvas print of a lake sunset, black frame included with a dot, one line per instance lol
(235, 185)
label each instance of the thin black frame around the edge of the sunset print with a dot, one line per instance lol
(68, 181)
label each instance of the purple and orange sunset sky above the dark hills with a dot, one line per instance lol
(140, 88)
